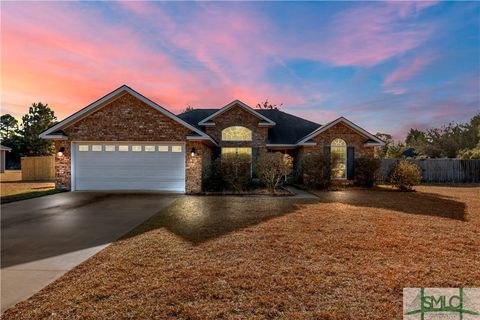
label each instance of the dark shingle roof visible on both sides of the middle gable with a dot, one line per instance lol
(288, 129)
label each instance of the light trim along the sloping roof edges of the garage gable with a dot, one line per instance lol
(52, 132)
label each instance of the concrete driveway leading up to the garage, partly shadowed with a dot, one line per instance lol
(43, 238)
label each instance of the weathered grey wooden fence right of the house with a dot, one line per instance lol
(441, 170)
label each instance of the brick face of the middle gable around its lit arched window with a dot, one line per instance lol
(238, 116)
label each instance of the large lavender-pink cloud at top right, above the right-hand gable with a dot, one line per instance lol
(369, 35)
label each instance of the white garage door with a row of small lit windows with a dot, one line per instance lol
(128, 166)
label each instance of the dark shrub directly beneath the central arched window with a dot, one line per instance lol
(236, 170)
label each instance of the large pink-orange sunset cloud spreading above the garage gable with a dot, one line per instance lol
(71, 65)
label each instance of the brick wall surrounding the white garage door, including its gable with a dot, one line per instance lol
(129, 119)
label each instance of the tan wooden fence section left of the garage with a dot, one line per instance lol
(38, 168)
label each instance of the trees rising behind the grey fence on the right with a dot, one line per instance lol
(454, 140)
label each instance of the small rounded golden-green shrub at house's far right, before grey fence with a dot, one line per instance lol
(405, 175)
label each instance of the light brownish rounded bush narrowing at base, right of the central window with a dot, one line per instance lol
(272, 167)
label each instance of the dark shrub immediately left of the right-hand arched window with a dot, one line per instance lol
(315, 170)
